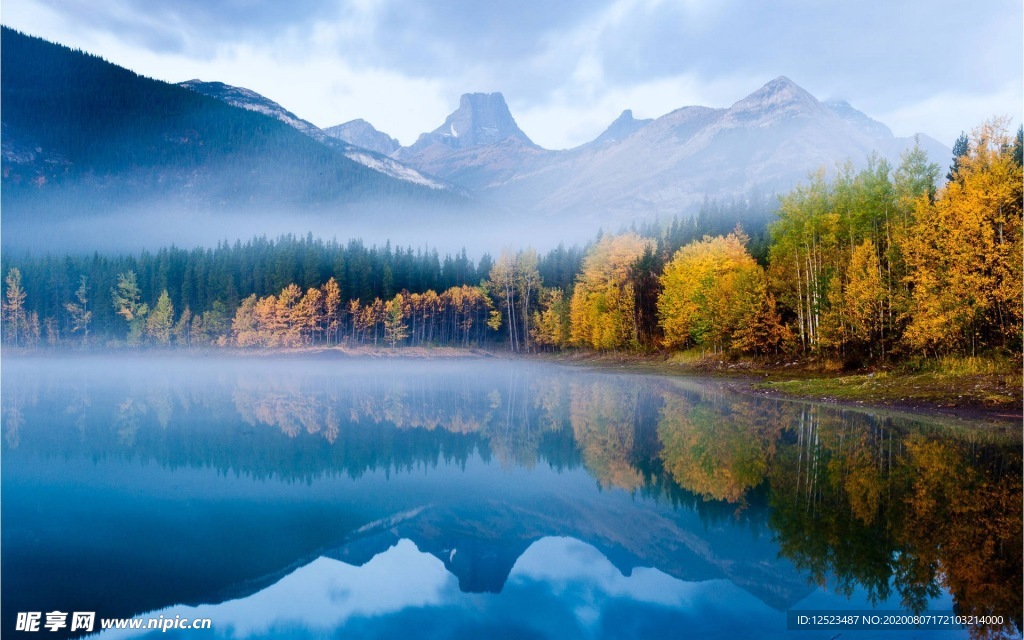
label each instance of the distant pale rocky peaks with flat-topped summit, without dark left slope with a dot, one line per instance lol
(767, 142)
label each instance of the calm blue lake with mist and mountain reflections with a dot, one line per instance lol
(486, 498)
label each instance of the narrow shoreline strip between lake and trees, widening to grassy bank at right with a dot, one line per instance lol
(988, 399)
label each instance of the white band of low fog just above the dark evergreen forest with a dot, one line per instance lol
(447, 231)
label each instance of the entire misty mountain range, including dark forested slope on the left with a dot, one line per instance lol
(83, 139)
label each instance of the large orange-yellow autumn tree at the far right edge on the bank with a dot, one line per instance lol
(964, 253)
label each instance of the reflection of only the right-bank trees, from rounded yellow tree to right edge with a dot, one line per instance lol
(863, 501)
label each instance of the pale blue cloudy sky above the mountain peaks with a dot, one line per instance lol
(568, 68)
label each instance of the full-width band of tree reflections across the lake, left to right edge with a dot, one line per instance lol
(858, 501)
